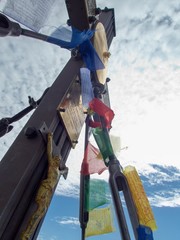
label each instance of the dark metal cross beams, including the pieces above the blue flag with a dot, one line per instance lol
(25, 164)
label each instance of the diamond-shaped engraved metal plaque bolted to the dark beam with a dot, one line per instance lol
(71, 112)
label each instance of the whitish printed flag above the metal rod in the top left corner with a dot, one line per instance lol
(30, 13)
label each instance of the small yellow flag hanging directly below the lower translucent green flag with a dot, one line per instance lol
(100, 222)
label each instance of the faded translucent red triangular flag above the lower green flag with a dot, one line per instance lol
(91, 162)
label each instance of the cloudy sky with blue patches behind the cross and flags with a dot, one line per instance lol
(144, 69)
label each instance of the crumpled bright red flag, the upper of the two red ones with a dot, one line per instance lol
(101, 109)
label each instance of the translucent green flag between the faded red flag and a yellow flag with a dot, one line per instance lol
(98, 193)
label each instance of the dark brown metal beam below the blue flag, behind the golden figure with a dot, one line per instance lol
(24, 165)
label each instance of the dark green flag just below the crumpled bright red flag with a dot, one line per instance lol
(104, 143)
